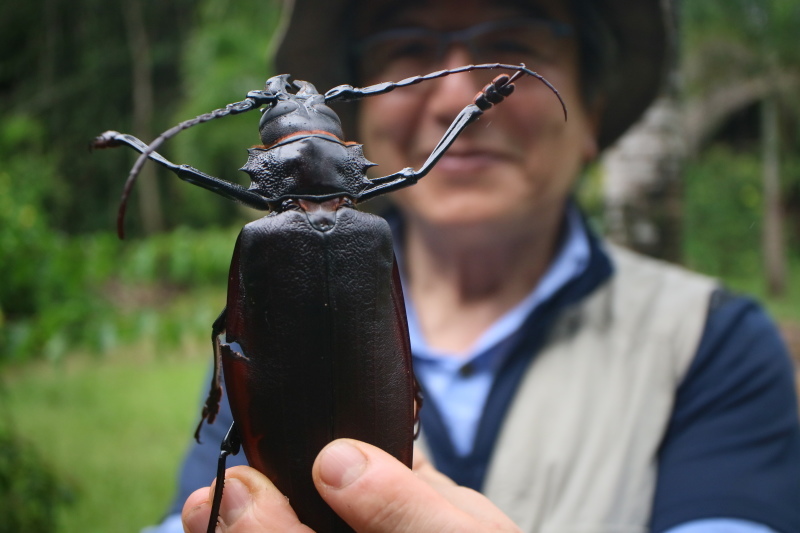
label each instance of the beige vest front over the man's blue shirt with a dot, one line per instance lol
(577, 451)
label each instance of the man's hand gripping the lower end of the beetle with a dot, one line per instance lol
(368, 488)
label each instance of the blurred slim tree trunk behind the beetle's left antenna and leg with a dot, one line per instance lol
(139, 44)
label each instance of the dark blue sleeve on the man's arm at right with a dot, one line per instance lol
(732, 447)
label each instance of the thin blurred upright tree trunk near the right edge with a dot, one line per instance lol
(774, 252)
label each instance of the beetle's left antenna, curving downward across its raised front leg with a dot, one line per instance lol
(254, 100)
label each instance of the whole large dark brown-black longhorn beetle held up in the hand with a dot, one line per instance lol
(315, 337)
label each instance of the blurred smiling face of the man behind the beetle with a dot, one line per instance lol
(519, 160)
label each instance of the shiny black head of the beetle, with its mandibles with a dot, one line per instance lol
(301, 111)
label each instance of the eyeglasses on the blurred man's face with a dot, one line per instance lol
(403, 52)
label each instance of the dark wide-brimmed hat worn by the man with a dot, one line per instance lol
(311, 45)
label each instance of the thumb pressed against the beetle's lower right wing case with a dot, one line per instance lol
(375, 493)
